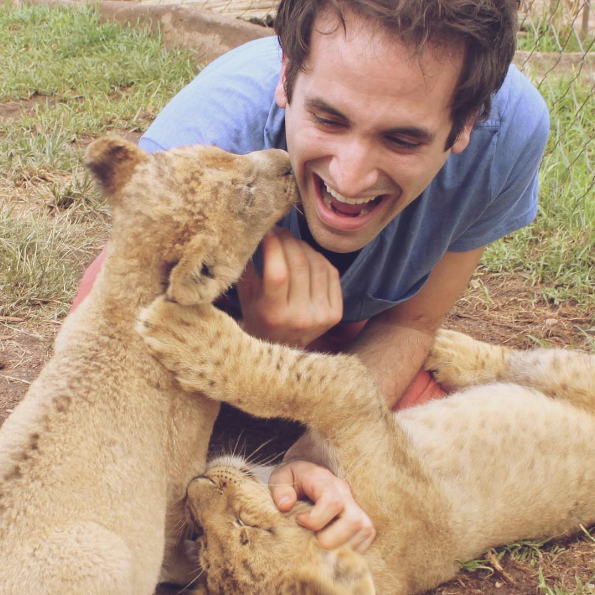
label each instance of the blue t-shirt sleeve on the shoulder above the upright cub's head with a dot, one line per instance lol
(230, 104)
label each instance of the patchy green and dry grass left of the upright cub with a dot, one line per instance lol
(66, 78)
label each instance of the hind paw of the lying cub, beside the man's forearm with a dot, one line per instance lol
(457, 361)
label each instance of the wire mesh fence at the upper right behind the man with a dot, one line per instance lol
(556, 50)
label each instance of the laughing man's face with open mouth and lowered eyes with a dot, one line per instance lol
(366, 129)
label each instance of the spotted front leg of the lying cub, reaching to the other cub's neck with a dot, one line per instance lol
(208, 352)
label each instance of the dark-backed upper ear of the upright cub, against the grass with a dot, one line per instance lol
(112, 160)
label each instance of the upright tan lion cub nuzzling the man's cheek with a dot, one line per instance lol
(95, 461)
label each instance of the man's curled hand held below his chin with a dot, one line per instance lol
(299, 297)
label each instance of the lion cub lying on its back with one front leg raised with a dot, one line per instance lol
(510, 455)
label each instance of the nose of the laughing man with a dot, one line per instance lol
(354, 168)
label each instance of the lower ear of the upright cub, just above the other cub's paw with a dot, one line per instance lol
(194, 280)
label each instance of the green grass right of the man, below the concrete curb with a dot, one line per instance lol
(557, 252)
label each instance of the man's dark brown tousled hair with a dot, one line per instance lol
(486, 28)
